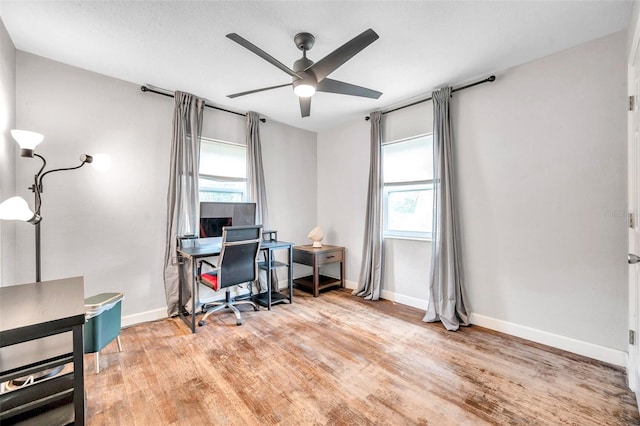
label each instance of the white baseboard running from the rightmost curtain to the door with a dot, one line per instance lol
(601, 353)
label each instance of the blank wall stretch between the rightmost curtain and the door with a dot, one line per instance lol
(542, 167)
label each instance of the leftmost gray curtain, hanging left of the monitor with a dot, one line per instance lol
(182, 195)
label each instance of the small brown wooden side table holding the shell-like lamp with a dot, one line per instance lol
(316, 257)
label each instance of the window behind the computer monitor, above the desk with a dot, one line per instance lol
(223, 171)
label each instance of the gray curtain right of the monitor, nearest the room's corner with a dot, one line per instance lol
(256, 188)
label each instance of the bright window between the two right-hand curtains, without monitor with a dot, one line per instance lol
(407, 167)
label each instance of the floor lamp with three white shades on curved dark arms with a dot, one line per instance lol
(16, 208)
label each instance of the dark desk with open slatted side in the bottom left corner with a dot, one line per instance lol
(41, 328)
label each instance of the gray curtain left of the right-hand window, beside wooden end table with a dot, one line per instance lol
(371, 272)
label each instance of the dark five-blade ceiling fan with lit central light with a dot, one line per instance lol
(309, 77)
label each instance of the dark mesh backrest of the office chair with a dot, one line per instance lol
(239, 255)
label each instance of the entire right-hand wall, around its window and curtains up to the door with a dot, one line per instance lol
(541, 167)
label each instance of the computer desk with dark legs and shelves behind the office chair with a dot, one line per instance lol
(206, 247)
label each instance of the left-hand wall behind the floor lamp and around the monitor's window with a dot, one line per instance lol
(110, 227)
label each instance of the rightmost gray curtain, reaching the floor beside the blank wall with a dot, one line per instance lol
(446, 286)
